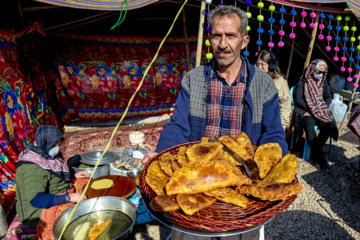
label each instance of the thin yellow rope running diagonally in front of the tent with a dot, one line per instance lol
(123, 116)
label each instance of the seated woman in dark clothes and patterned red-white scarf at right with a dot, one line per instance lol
(312, 99)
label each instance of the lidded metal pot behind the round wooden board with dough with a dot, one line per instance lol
(90, 158)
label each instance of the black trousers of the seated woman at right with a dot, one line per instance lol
(316, 142)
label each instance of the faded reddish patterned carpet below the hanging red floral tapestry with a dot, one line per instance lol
(79, 143)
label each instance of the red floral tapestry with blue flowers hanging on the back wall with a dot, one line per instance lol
(97, 75)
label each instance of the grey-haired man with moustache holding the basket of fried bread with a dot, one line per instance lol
(224, 97)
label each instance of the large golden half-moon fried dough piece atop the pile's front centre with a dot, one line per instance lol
(198, 177)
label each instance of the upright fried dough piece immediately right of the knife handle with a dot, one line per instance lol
(266, 156)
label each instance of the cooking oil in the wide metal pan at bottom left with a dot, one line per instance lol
(79, 228)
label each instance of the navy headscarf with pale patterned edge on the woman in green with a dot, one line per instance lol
(45, 137)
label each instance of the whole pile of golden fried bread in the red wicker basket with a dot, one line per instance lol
(198, 176)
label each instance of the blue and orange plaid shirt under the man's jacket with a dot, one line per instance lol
(225, 103)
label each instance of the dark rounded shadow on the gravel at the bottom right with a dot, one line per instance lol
(303, 225)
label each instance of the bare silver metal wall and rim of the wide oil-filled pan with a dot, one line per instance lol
(97, 204)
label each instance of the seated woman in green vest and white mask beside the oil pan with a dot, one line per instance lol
(44, 188)
